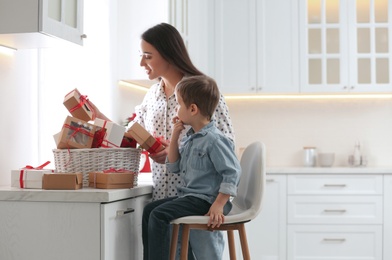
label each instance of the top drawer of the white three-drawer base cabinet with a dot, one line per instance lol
(335, 184)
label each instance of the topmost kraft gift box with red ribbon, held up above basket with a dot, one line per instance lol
(78, 105)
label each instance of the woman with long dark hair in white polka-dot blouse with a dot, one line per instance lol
(165, 57)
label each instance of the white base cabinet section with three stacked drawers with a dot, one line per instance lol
(338, 217)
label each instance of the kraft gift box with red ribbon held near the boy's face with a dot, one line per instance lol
(144, 138)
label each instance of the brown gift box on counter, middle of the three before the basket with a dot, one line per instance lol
(62, 181)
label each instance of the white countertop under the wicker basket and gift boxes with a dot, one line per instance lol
(82, 195)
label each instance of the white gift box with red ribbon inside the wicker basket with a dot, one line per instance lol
(114, 133)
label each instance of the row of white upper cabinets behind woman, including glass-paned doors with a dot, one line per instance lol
(289, 46)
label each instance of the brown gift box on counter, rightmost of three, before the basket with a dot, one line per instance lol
(111, 179)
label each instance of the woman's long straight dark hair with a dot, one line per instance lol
(169, 43)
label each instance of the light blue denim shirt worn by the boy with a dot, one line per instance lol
(207, 165)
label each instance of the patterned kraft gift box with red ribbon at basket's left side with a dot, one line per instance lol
(75, 134)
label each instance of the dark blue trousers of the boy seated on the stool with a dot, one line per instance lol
(157, 216)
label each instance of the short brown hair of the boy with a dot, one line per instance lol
(201, 91)
